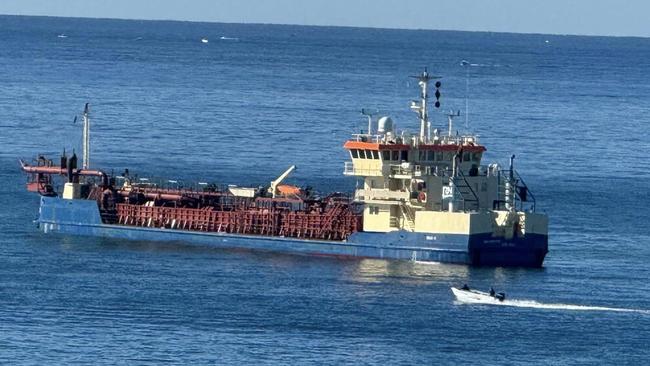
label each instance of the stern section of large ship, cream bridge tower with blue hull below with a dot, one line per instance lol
(432, 189)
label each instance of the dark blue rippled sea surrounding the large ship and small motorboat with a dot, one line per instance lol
(574, 110)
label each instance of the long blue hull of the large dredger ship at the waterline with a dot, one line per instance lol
(81, 217)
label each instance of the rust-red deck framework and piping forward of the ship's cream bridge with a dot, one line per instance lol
(295, 214)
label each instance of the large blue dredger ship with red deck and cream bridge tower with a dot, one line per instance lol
(425, 197)
